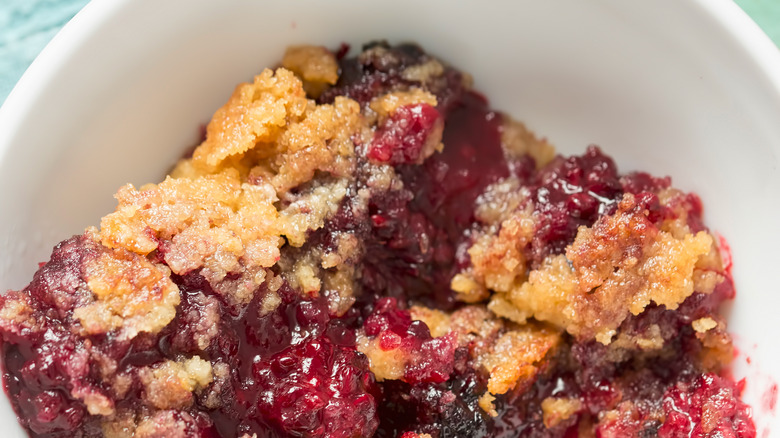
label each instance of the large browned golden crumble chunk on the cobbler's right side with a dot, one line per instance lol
(613, 269)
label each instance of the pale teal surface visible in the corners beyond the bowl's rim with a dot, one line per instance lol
(27, 25)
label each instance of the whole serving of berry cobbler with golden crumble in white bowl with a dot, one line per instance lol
(361, 247)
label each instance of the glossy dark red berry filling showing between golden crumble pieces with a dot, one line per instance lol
(295, 371)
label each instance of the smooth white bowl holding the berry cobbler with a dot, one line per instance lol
(689, 88)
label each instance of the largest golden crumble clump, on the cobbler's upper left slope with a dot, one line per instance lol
(217, 212)
